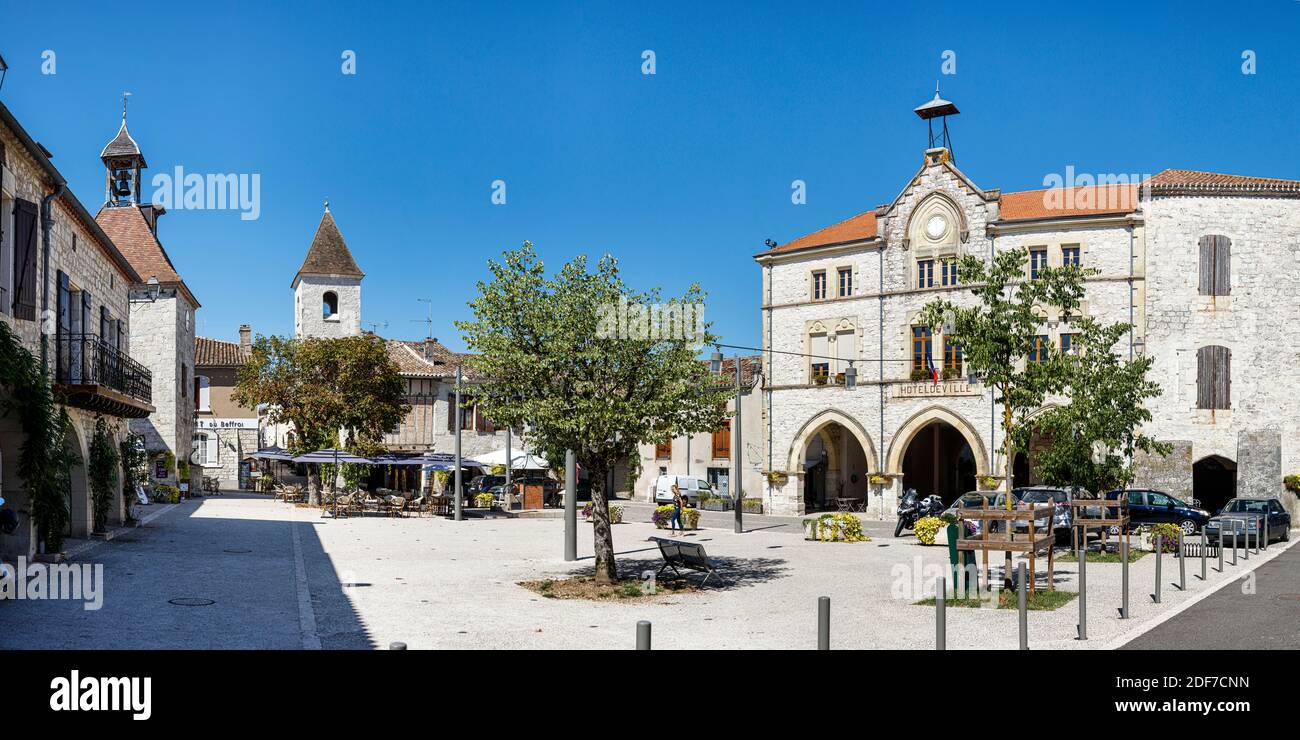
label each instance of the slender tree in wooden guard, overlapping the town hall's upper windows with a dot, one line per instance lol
(998, 332)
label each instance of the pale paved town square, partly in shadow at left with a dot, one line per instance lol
(285, 578)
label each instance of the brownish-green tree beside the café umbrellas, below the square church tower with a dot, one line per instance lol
(323, 387)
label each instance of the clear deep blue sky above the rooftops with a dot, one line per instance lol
(682, 175)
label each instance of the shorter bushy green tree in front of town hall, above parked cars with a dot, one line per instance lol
(1091, 439)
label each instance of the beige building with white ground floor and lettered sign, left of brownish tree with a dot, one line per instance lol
(226, 434)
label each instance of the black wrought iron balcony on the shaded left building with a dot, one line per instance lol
(94, 375)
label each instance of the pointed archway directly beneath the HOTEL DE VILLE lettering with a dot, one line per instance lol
(937, 452)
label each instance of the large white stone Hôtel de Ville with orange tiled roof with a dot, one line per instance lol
(1201, 266)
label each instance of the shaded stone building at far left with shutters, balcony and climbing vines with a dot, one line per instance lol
(64, 288)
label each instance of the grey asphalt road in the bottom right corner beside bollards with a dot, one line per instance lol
(1234, 621)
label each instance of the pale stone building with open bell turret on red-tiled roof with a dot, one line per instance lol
(163, 311)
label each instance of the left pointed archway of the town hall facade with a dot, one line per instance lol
(837, 458)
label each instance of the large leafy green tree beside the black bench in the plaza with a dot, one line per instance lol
(575, 358)
